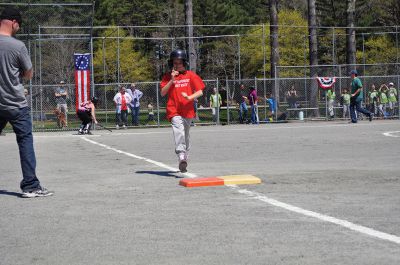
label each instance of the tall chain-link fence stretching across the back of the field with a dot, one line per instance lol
(232, 56)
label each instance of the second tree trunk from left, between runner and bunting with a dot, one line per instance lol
(273, 20)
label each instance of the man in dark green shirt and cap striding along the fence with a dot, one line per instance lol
(356, 98)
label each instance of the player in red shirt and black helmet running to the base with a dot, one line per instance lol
(182, 87)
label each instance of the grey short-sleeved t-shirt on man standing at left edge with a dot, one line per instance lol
(14, 60)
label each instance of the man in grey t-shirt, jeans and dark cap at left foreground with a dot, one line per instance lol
(15, 64)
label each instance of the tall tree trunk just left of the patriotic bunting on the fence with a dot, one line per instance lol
(313, 47)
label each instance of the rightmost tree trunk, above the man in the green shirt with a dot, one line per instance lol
(351, 35)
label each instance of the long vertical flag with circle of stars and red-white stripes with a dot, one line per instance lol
(82, 78)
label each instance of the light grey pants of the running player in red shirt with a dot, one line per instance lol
(181, 127)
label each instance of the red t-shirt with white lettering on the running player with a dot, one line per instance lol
(177, 105)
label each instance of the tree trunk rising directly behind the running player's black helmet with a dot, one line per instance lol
(189, 34)
